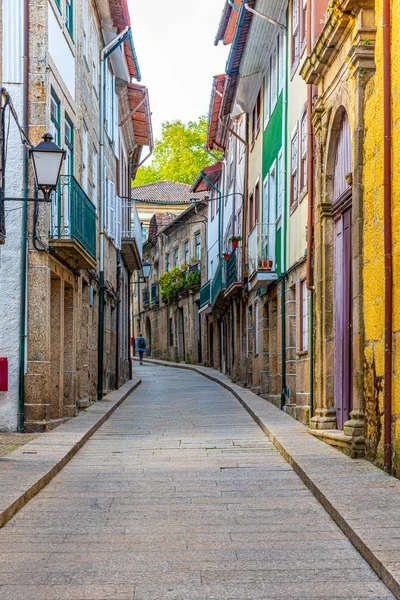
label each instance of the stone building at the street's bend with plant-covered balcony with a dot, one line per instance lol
(170, 299)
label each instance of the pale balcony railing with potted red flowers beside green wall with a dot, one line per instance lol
(261, 248)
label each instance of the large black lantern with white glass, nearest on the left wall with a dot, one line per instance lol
(47, 159)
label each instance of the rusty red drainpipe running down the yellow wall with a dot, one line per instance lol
(387, 232)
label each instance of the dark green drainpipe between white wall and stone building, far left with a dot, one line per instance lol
(24, 245)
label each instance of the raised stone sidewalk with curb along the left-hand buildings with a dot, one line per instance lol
(24, 472)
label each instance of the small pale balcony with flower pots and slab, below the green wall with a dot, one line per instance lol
(261, 256)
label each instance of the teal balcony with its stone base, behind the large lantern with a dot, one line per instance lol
(73, 225)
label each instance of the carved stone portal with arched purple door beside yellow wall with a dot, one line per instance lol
(338, 120)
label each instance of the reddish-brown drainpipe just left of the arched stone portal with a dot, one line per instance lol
(310, 216)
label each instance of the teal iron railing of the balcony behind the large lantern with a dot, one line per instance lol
(73, 216)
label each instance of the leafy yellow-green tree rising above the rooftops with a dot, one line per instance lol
(179, 154)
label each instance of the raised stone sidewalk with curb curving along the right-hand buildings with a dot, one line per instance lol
(360, 498)
